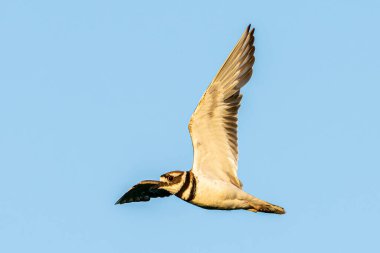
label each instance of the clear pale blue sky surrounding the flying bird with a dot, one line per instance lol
(96, 96)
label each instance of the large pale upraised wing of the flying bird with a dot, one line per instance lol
(213, 125)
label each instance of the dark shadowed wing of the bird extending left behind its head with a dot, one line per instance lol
(143, 191)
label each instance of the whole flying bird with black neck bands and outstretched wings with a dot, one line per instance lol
(212, 182)
